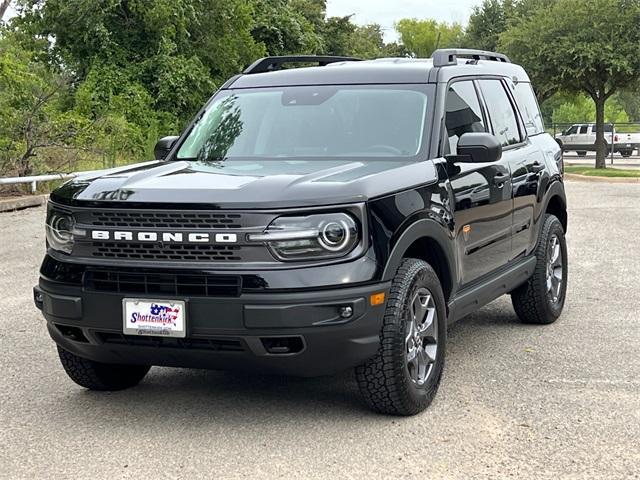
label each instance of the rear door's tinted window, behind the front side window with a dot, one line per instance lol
(503, 118)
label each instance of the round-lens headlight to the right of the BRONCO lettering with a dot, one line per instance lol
(315, 236)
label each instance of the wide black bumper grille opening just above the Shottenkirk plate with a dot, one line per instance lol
(151, 283)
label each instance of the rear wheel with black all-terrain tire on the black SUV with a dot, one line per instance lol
(533, 301)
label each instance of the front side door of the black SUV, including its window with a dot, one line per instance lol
(481, 192)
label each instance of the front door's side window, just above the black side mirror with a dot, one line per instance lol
(463, 113)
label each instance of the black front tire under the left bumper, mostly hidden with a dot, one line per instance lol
(101, 376)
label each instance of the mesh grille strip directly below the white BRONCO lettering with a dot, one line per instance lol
(166, 251)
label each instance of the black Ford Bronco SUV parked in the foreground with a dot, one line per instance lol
(311, 220)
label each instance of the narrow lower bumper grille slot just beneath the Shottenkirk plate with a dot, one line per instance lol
(214, 344)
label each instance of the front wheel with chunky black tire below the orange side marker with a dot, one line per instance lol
(385, 381)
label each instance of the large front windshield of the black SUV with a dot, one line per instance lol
(318, 122)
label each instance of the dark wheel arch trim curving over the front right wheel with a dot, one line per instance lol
(429, 241)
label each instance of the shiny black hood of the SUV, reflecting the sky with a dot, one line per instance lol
(246, 184)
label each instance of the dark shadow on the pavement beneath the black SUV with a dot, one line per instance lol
(196, 397)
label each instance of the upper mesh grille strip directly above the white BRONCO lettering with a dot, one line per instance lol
(167, 219)
